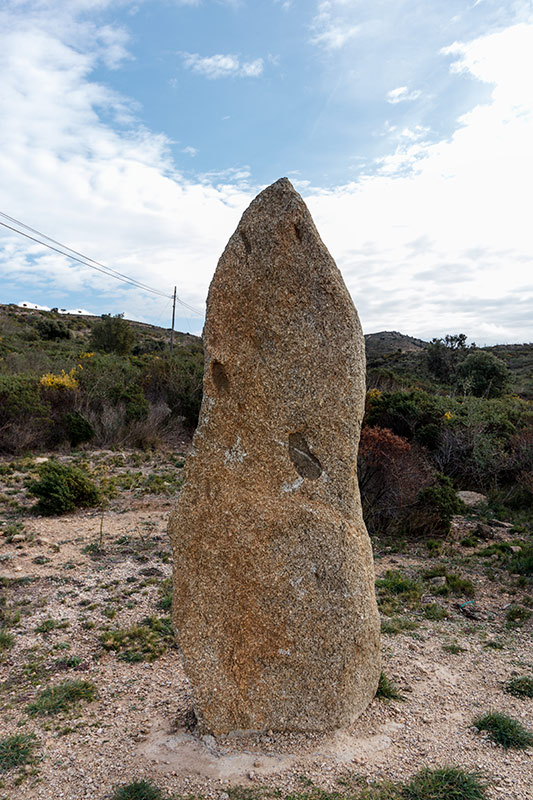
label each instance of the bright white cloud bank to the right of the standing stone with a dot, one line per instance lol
(463, 201)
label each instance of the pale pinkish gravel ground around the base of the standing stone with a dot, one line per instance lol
(138, 725)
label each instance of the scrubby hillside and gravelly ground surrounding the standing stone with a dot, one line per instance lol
(87, 590)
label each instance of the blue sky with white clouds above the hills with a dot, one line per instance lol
(138, 131)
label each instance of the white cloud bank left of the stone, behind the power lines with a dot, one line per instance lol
(113, 194)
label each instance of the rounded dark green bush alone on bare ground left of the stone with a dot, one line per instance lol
(61, 488)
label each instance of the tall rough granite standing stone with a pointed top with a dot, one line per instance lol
(274, 603)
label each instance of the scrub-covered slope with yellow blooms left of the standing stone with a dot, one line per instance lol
(73, 381)
